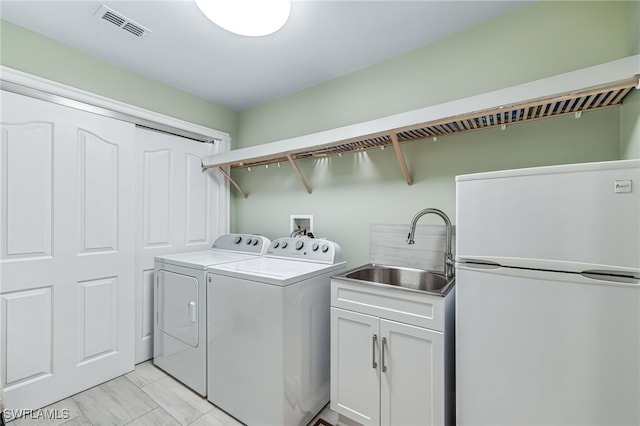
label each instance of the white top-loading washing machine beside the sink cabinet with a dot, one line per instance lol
(268, 332)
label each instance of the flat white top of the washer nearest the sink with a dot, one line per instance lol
(274, 271)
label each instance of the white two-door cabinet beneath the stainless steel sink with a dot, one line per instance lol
(385, 371)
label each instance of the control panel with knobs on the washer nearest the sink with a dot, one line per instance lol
(308, 249)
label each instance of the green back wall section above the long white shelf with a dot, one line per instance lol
(533, 42)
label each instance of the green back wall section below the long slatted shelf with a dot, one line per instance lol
(353, 191)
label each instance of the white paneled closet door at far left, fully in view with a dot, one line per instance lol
(66, 250)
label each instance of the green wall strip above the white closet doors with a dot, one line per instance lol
(35, 54)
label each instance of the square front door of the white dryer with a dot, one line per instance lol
(178, 306)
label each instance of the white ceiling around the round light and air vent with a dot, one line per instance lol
(322, 39)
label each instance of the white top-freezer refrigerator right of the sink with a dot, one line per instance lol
(548, 296)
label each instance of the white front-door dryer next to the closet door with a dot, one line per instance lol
(179, 338)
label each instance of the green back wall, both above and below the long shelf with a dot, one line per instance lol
(353, 191)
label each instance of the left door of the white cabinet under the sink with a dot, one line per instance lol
(355, 363)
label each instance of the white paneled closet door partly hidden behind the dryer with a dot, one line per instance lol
(178, 208)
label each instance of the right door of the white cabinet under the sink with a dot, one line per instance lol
(412, 382)
